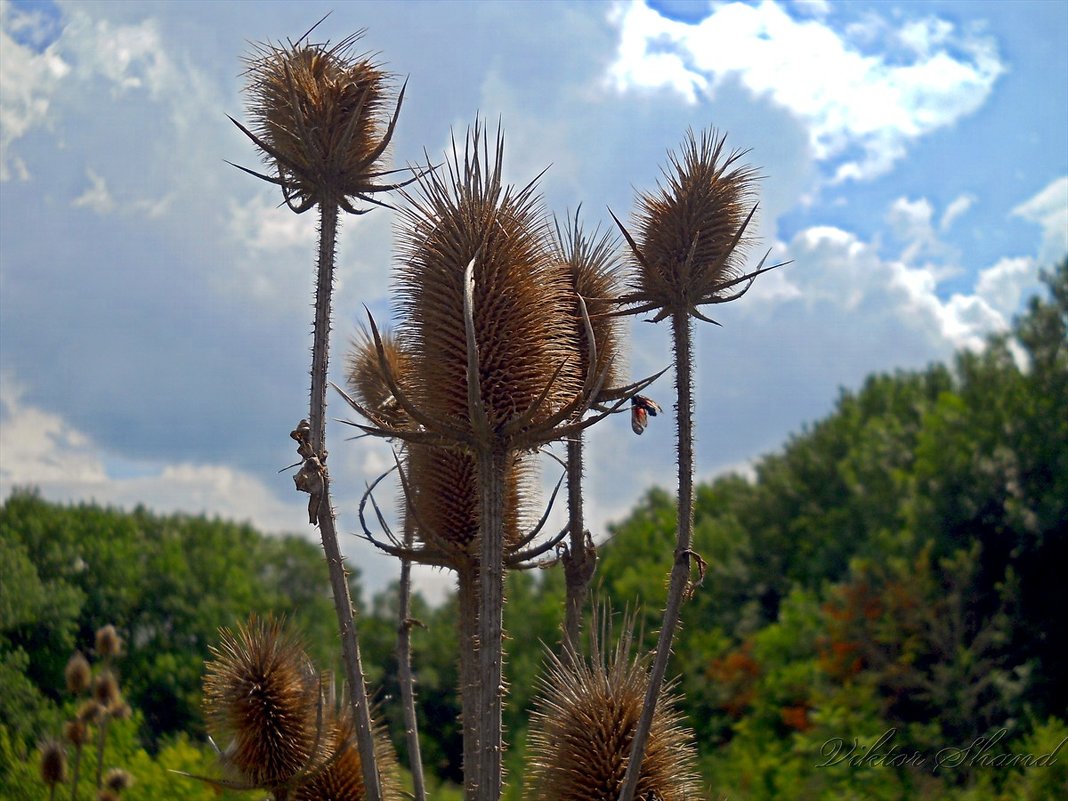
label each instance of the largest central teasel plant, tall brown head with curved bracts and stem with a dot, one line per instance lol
(488, 322)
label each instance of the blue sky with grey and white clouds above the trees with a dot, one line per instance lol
(155, 303)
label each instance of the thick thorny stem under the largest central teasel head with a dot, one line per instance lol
(493, 462)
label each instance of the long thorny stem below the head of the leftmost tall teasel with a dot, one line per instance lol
(339, 579)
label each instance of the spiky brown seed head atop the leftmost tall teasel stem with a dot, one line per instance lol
(321, 118)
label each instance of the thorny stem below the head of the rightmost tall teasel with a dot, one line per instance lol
(683, 333)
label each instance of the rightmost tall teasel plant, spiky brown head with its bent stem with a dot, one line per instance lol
(690, 241)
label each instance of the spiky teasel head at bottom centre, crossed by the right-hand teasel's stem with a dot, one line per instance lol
(584, 725)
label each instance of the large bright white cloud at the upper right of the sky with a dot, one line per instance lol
(865, 95)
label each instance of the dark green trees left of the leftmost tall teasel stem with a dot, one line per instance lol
(167, 583)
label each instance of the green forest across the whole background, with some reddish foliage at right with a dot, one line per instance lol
(896, 572)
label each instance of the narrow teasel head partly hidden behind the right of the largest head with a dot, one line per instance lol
(591, 268)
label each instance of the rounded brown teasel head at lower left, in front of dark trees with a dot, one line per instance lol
(261, 696)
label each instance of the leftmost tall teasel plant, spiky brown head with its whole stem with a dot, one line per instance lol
(322, 120)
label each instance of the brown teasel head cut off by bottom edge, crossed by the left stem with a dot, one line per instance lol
(342, 780)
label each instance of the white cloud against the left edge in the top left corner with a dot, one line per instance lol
(28, 78)
